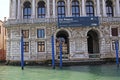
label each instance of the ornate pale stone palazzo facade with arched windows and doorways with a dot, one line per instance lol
(37, 21)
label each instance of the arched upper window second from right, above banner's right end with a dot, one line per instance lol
(89, 8)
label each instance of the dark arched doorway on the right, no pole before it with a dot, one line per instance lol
(93, 44)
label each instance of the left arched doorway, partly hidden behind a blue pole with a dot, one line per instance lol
(65, 44)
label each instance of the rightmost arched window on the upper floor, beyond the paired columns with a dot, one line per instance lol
(109, 8)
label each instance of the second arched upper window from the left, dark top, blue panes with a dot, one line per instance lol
(41, 9)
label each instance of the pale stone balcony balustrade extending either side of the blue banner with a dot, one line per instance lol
(51, 20)
